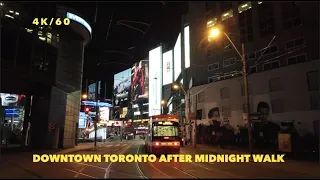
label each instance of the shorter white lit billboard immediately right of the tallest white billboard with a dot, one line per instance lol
(167, 64)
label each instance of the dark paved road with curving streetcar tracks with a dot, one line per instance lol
(151, 170)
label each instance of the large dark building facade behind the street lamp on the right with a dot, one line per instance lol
(282, 52)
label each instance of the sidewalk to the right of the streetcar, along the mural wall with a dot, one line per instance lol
(312, 168)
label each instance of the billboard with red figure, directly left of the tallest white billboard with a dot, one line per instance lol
(140, 82)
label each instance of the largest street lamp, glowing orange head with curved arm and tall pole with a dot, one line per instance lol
(214, 33)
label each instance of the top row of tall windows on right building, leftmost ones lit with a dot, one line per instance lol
(290, 11)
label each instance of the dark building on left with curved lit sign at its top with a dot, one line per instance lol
(46, 64)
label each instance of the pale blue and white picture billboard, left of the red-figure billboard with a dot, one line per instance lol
(122, 83)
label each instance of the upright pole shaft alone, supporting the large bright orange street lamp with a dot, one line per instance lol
(246, 90)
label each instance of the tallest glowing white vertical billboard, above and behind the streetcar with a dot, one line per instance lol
(155, 81)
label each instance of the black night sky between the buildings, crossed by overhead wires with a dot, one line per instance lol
(164, 18)
